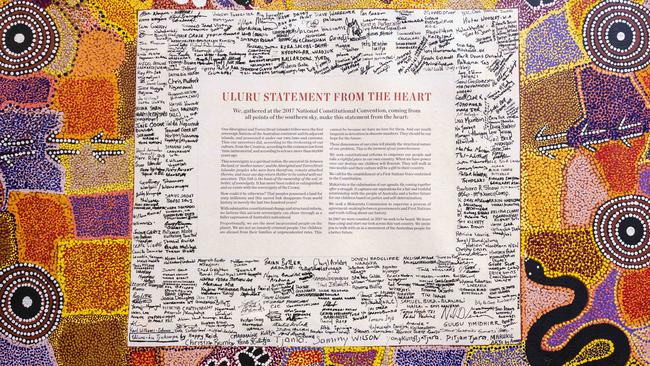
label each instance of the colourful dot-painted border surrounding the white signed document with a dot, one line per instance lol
(67, 101)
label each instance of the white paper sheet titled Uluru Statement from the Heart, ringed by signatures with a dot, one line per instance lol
(326, 178)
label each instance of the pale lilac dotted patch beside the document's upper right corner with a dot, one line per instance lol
(550, 44)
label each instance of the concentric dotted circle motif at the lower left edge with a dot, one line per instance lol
(31, 302)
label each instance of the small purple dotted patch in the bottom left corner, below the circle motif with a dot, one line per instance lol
(12, 354)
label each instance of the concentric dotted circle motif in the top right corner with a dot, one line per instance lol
(616, 35)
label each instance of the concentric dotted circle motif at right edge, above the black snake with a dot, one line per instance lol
(622, 231)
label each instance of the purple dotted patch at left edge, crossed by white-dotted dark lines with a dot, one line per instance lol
(32, 170)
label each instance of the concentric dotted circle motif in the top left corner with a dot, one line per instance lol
(28, 38)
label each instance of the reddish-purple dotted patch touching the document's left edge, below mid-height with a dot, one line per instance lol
(102, 216)
